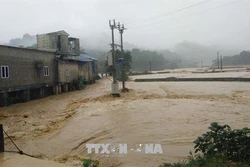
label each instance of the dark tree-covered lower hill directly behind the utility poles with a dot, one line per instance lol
(140, 60)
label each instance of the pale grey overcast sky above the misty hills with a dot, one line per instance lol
(150, 23)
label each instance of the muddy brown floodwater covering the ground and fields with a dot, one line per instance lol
(171, 114)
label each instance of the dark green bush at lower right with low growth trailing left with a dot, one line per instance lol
(221, 147)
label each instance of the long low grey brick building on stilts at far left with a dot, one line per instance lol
(26, 74)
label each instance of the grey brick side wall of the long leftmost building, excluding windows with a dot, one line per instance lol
(23, 72)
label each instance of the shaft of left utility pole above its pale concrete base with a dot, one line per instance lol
(112, 27)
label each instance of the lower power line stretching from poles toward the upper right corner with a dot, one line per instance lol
(221, 6)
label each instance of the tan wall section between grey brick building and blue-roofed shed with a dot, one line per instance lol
(67, 71)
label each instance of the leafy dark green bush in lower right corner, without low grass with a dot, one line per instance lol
(234, 144)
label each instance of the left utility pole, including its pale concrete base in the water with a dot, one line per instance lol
(115, 86)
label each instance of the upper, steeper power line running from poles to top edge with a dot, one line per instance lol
(168, 14)
